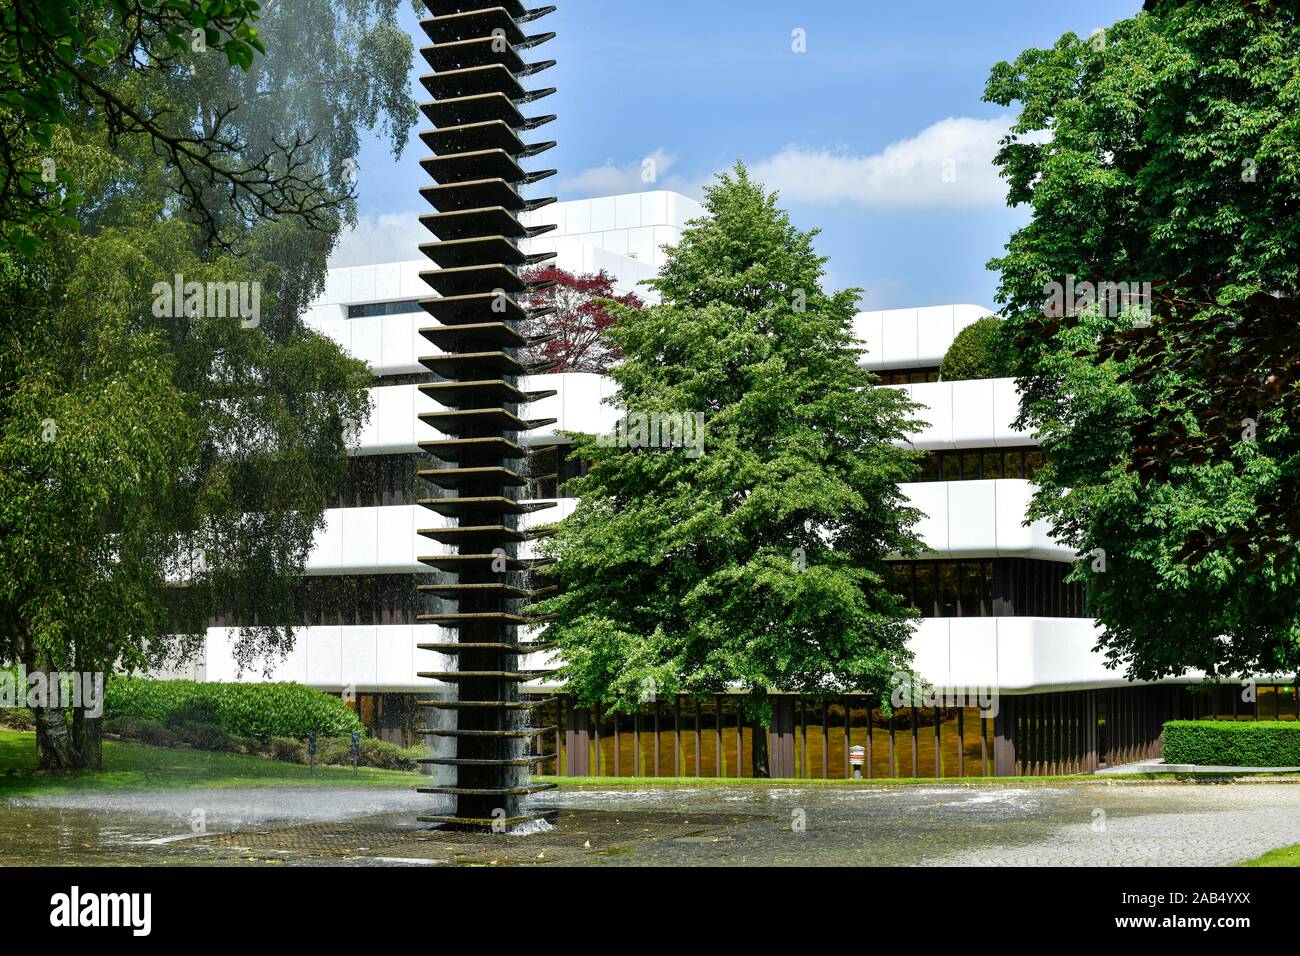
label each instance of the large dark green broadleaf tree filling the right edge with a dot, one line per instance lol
(1165, 152)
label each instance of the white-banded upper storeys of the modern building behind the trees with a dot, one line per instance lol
(996, 611)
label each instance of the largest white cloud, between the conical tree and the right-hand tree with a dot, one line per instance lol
(950, 163)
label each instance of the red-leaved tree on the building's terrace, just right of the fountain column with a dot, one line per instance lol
(580, 319)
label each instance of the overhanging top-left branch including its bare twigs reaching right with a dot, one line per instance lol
(53, 50)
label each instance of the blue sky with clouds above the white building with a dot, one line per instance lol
(857, 133)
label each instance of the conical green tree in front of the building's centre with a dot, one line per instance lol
(759, 565)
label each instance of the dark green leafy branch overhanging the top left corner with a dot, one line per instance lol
(63, 55)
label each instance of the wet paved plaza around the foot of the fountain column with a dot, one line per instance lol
(1087, 825)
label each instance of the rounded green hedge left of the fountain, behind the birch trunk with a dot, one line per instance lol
(242, 711)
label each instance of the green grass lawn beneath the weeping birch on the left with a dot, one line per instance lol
(140, 768)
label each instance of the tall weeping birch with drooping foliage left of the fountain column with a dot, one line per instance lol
(158, 465)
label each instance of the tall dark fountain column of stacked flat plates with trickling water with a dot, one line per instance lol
(483, 347)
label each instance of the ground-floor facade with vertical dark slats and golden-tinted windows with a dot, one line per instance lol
(1035, 734)
